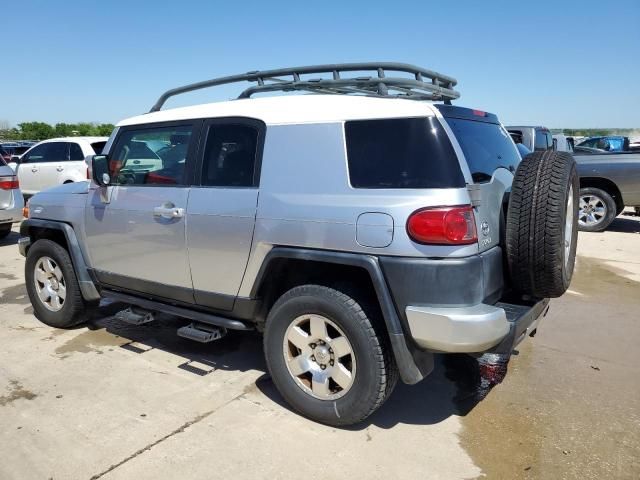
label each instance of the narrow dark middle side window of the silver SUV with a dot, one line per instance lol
(230, 156)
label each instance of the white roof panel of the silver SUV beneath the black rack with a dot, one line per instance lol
(294, 109)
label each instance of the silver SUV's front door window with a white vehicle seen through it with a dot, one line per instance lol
(151, 156)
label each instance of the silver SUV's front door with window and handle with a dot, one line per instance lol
(136, 228)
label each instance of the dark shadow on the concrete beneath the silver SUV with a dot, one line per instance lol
(453, 388)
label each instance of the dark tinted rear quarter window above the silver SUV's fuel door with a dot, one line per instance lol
(401, 153)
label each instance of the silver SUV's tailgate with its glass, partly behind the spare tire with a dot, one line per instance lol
(492, 158)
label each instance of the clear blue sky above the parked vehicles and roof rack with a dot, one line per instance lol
(555, 63)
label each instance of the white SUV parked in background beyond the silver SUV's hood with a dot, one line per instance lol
(55, 161)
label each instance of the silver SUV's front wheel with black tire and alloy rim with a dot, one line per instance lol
(52, 285)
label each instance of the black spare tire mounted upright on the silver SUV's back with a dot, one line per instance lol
(542, 224)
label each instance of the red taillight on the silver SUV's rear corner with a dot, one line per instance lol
(443, 226)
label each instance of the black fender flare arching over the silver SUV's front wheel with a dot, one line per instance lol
(87, 286)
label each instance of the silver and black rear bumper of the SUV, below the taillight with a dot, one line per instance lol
(479, 328)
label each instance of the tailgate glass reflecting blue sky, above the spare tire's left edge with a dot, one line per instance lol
(486, 146)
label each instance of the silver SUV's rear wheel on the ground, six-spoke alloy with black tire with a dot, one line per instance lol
(325, 357)
